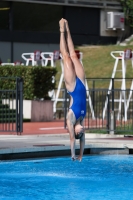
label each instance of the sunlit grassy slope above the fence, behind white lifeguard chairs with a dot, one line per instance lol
(98, 63)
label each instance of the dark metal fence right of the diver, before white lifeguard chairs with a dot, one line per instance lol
(108, 110)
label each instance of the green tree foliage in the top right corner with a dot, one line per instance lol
(128, 11)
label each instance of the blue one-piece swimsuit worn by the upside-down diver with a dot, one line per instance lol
(79, 99)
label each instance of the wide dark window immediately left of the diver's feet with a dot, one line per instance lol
(36, 17)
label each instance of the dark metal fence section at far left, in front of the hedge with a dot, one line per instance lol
(11, 104)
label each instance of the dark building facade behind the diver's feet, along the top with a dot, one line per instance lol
(26, 26)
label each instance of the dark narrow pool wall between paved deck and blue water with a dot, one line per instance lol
(58, 153)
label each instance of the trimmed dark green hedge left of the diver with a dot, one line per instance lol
(37, 80)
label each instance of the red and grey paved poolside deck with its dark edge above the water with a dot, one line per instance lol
(50, 138)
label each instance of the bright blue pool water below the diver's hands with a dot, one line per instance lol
(95, 178)
